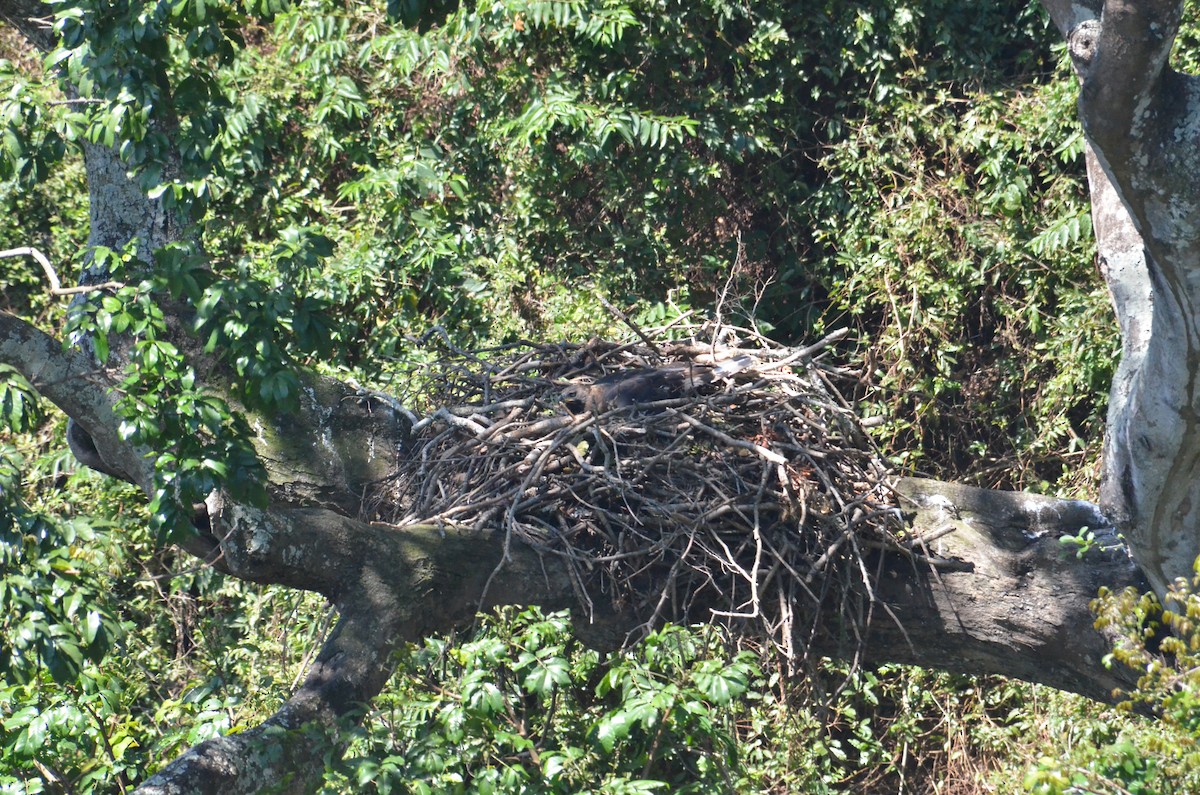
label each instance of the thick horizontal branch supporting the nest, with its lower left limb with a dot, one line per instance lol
(994, 593)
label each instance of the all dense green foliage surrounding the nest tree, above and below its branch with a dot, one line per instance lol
(495, 170)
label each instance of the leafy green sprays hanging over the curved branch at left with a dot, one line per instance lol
(202, 444)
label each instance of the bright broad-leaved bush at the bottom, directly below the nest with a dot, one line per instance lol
(525, 707)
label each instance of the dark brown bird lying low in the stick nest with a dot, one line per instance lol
(632, 388)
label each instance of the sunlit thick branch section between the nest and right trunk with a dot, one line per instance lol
(1021, 606)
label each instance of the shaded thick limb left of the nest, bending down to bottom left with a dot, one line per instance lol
(392, 585)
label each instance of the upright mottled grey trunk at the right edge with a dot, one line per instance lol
(1143, 121)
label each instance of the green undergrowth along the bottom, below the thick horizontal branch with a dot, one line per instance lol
(519, 704)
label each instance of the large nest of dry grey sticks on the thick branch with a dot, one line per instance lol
(752, 499)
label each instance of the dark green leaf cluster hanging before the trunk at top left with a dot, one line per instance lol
(140, 69)
